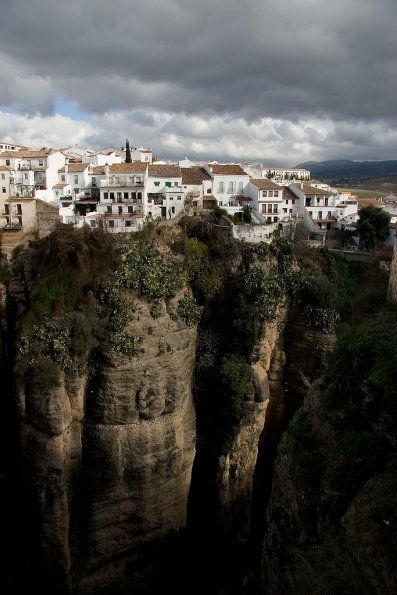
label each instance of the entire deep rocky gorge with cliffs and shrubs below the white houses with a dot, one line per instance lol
(186, 411)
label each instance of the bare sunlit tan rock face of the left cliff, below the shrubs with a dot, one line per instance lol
(110, 457)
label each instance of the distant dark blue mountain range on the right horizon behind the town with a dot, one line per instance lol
(353, 173)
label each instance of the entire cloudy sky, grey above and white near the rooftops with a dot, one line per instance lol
(278, 81)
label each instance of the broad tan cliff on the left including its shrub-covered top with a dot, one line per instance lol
(108, 446)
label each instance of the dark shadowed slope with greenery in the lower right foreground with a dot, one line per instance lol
(332, 505)
